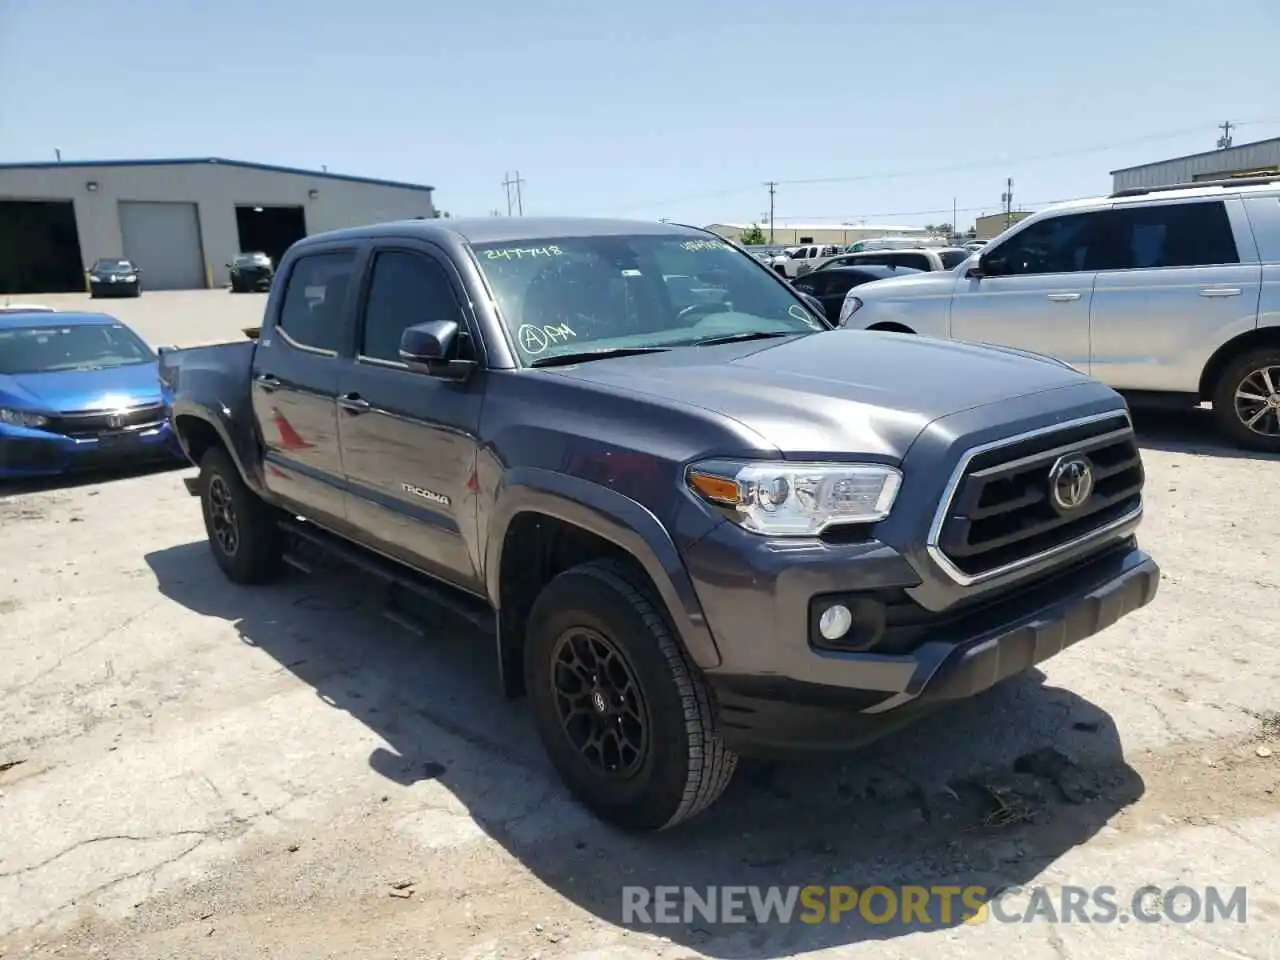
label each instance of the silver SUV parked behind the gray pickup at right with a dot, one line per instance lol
(1168, 295)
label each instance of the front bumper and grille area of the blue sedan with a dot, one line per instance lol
(34, 454)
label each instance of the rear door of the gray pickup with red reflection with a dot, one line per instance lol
(295, 383)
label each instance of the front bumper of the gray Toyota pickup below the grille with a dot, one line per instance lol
(811, 700)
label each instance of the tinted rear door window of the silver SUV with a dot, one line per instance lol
(1172, 235)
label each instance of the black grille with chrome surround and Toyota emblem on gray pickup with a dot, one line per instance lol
(1002, 511)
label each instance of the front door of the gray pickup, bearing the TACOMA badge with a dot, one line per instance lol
(409, 441)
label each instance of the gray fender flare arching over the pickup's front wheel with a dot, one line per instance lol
(611, 516)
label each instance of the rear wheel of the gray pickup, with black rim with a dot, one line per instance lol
(253, 554)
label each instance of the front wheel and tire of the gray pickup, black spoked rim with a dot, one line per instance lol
(683, 766)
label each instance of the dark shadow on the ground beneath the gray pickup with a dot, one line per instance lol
(988, 794)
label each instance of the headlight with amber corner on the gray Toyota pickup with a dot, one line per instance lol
(798, 500)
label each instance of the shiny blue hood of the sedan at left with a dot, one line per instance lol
(83, 390)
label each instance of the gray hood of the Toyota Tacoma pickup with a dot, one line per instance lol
(842, 394)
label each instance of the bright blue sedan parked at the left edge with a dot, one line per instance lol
(77, 391)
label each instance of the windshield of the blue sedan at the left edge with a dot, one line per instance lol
(43, 350)
